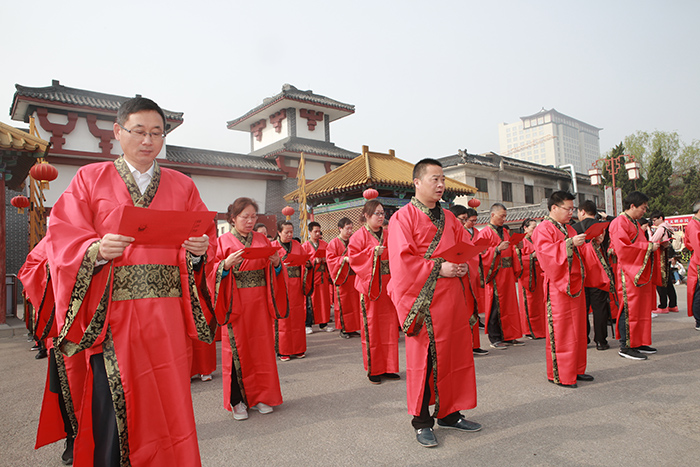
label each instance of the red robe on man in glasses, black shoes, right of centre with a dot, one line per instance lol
(564, 273)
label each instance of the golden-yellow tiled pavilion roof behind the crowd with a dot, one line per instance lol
(371, 169)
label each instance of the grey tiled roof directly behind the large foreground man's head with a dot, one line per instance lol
(78, 97)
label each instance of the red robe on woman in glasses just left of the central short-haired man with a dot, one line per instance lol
(380, 328)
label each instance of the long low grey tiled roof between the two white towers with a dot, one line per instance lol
(219, 159)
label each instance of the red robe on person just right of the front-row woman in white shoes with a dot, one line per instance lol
(290, 333)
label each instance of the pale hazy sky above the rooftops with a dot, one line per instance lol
(426, 78)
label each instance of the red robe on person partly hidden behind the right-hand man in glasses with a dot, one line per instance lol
(532, 298)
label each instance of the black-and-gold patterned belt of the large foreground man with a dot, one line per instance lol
(137, 281)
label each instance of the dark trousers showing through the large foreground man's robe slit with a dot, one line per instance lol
(104, 421)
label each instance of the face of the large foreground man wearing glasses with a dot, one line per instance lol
(140, 151)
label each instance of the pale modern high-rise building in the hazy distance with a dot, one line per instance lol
(551, 138)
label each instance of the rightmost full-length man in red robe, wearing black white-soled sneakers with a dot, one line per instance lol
(636, 265)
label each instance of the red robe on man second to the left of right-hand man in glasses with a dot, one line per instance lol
(500, 271)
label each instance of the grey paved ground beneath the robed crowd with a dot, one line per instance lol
(634, 413)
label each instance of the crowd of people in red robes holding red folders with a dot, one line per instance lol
(107, 306)
